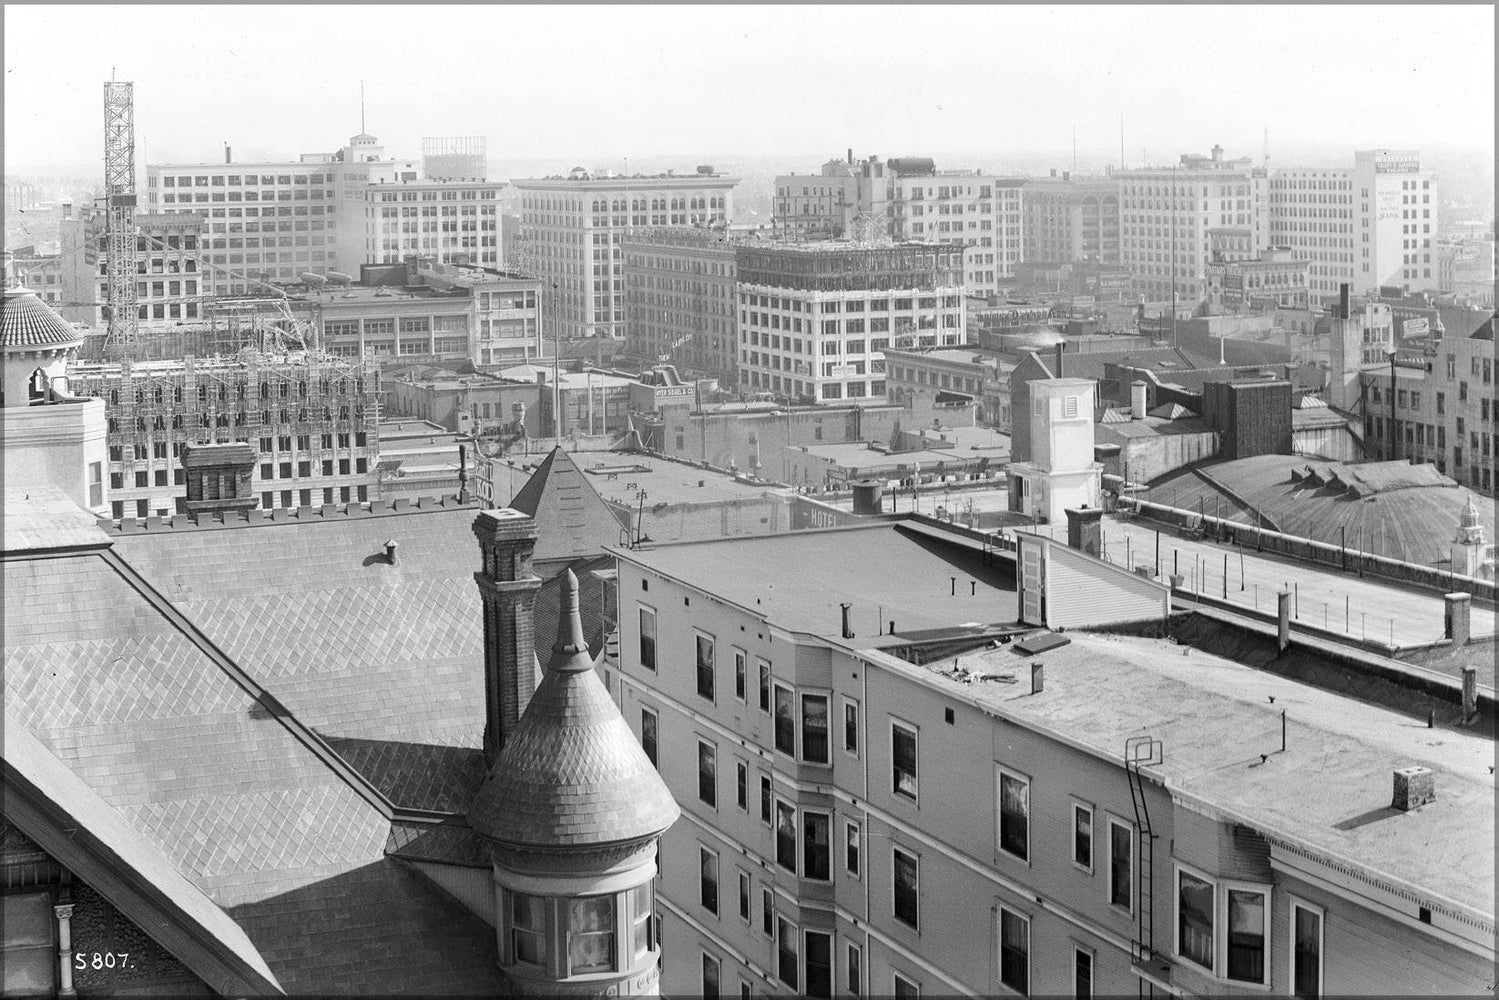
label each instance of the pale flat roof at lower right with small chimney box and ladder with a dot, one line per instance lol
(1329, 792)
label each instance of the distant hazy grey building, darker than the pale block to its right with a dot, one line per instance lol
(1073, 220)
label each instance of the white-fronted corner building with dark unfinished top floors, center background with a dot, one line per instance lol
(815, 319)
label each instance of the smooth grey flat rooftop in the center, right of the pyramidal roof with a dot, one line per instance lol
(885, 570)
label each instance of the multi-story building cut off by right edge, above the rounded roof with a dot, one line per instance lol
(1440, 410)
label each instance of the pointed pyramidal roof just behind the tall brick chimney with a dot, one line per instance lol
(573, 521)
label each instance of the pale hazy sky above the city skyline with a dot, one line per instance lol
(599, 83)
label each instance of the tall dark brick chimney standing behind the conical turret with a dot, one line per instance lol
(507, 588)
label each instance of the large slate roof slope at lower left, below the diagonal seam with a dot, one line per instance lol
(146, 711)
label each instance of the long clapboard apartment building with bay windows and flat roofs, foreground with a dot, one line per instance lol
(890, 788)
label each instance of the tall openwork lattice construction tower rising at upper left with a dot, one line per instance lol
(119, 181)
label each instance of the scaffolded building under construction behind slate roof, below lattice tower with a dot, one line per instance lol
(314, 424)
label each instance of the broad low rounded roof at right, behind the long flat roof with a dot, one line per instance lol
(1396, 509)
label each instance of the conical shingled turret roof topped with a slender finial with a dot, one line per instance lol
(572, 774)
